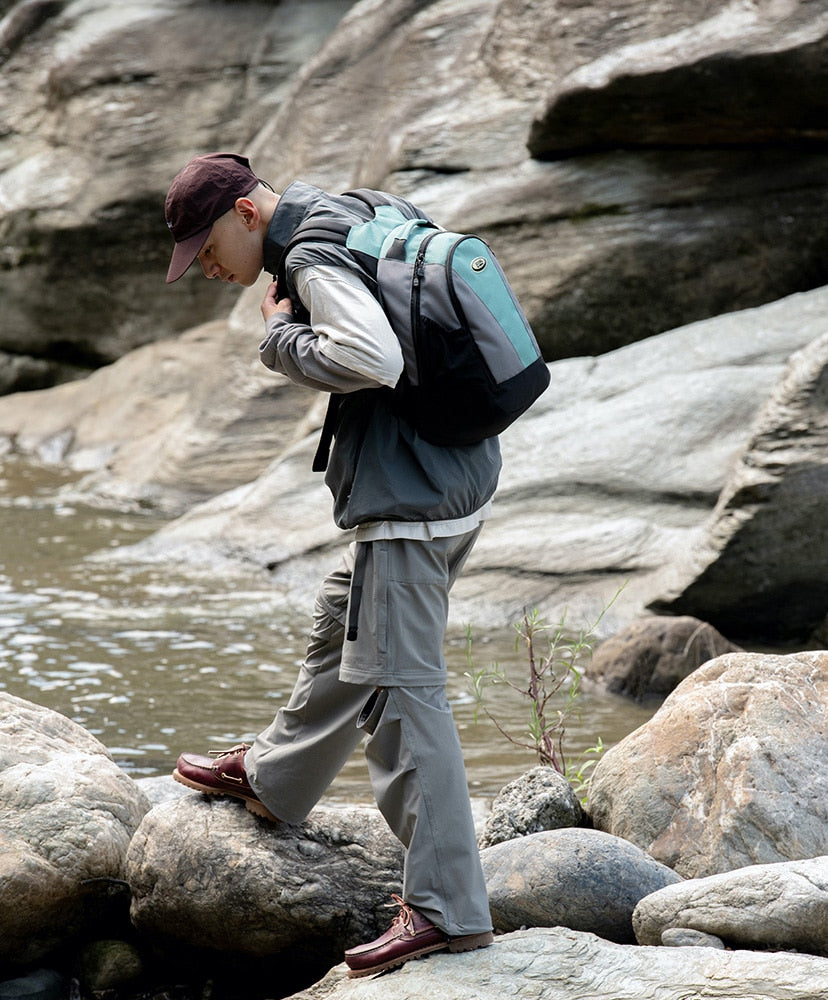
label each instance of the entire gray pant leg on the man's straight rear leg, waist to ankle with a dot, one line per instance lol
(414, 755)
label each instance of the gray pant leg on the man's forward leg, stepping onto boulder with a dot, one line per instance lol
(294, 760)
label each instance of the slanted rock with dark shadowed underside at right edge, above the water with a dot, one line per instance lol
(759, 570)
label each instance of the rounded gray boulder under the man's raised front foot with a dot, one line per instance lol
(207, 875)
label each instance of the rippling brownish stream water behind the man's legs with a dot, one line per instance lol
(153, 661)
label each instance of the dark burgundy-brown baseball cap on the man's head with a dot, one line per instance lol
(199, 194)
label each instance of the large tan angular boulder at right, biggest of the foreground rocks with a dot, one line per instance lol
(731, 771)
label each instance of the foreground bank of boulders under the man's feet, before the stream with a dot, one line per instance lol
(108, 884)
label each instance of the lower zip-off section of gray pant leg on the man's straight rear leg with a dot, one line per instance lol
(419, 780)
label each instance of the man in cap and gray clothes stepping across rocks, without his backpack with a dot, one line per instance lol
(374, 668)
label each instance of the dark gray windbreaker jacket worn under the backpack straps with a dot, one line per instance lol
(379, 468)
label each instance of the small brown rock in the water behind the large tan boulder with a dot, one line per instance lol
(654, 654)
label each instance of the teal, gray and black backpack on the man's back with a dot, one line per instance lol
(471, 362)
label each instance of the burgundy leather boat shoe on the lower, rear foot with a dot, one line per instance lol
(409, 936)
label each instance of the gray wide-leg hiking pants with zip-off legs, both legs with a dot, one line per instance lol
(401, 710)
